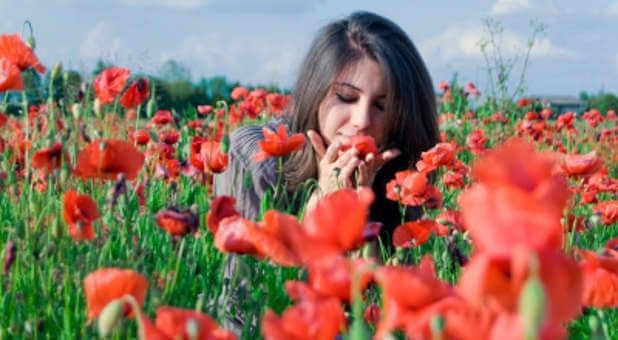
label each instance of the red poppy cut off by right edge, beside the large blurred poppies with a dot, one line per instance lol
(600, 279)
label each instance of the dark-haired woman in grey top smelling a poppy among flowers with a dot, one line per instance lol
(362, 76)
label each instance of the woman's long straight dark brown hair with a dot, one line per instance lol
(410, 104)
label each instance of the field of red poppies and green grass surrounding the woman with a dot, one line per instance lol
(109, 226)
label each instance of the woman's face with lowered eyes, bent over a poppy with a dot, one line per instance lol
(355, 104)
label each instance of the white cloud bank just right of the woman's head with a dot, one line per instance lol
(458, 42)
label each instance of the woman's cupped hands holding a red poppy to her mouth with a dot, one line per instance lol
(336, 169)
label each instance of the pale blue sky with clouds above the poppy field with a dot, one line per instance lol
(264, 41)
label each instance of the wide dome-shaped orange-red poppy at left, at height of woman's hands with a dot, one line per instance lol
(106, 158)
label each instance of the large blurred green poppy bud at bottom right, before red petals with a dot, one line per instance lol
(532, 306)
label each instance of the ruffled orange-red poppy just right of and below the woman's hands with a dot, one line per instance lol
(408, 186)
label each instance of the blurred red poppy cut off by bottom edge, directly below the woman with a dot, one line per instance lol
(312, 318)
